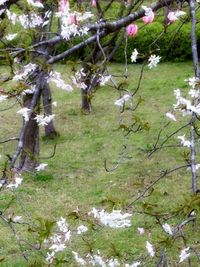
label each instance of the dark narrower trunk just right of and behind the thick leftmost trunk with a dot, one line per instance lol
(50, 131)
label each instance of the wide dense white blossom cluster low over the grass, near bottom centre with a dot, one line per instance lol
(115, 219)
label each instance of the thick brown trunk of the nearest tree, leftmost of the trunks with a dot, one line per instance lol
(30, 151)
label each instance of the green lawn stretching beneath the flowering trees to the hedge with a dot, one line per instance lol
(76, 177)
